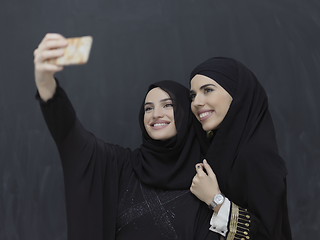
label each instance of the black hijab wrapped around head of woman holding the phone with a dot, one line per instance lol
(169, 164)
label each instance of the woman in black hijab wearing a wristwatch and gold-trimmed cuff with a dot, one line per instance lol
(243, 177)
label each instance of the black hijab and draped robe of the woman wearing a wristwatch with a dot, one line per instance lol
(244, 153)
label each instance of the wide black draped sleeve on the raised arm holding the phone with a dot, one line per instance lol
(91, 168)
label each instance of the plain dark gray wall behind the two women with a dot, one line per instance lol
(136, 43)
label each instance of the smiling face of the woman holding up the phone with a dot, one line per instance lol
(158, 115)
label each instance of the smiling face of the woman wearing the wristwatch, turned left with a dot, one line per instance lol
(210, 102)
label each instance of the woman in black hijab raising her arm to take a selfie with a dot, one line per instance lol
(113, 192)
